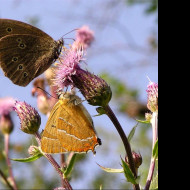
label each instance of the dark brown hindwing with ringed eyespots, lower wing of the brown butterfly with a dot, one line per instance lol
(24, 57)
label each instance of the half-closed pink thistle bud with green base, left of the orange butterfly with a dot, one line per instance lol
(29, 118)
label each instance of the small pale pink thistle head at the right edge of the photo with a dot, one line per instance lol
(152, 90)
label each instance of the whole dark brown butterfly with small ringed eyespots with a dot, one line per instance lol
(25, 51)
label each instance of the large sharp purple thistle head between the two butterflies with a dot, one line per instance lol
(94, 89)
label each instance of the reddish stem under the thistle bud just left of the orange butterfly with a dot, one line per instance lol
(65, 182)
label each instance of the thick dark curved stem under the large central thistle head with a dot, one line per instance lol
(127, 146)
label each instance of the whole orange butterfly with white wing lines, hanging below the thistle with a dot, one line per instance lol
(69, 128)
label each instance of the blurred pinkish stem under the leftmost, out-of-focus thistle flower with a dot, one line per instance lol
(8, 161)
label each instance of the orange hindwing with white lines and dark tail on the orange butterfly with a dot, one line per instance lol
(75, 129)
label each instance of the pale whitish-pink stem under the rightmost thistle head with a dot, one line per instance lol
(154, 122)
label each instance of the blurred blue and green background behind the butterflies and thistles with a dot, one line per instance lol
(124, 53)
